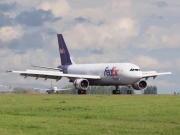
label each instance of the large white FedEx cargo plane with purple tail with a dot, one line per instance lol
(100, 74)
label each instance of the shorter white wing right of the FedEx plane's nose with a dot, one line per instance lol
(153, 74)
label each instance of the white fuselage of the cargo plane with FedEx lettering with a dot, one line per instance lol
(110, 73)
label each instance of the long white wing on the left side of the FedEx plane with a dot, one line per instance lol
(52, 74)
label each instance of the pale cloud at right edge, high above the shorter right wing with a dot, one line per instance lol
(161, 38)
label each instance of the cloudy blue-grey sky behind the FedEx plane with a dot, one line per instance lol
(146, 33)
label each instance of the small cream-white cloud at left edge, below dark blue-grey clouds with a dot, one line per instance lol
(9, 33)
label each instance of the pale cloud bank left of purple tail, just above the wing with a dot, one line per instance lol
(24, 61)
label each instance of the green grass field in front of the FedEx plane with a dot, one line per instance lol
(89, 114)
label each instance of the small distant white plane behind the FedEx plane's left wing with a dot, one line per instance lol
(52, 90)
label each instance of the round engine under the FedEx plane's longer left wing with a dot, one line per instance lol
(81, 84)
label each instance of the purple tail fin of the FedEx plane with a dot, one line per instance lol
(64, 53)
